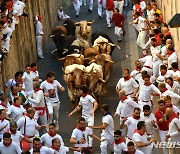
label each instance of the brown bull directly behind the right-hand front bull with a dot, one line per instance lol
(106, 62)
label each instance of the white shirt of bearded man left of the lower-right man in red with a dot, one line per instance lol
(148, 120)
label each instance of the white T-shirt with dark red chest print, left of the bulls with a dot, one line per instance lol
(52, 89)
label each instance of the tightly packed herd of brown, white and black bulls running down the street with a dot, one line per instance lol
(83, 64)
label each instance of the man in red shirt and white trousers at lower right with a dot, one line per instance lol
(163, 125)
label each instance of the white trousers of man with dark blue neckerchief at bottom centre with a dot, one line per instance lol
(108, 143)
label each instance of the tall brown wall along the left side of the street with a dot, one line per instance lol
(23, 45)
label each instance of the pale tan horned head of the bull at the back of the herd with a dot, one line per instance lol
(83, 29)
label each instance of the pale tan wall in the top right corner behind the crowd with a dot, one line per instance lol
(169, 9)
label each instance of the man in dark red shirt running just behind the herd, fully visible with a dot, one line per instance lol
(118, 19)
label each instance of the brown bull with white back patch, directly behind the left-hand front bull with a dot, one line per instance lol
(73, 59)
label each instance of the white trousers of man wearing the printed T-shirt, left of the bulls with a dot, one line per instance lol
(53, 109)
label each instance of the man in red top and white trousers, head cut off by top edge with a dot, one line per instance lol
(109, 11)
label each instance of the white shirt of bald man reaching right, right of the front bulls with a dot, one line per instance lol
(126, 108)
